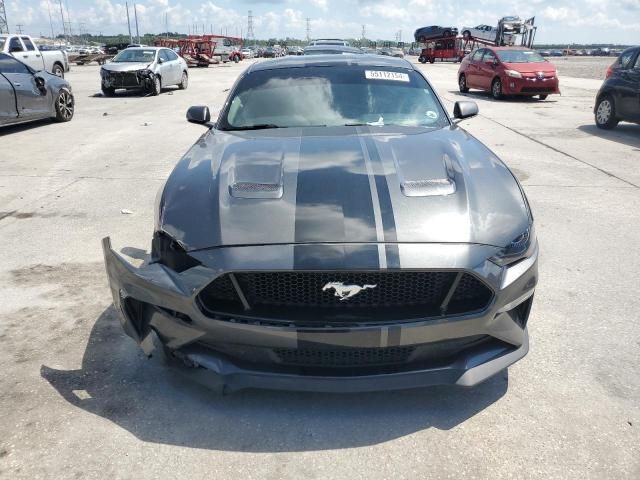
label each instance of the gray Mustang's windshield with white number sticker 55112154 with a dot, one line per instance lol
(333, 96)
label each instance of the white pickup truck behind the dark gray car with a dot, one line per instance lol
(25, 49)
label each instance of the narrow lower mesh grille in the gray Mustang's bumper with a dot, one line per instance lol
(352, 357)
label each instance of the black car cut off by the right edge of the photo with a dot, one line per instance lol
(619, 96)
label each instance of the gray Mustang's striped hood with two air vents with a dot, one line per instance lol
(343, 185)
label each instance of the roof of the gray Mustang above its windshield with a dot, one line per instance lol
(362, 60)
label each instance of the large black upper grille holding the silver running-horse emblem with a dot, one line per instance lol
(310, 296)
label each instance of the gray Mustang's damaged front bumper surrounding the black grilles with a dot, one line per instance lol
(157, 302)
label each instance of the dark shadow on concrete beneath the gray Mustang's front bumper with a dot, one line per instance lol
(160, 405)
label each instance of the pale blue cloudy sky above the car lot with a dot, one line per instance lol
(559, 21)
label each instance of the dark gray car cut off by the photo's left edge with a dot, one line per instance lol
(27, 95)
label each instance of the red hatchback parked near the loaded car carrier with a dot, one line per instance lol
(507, 71)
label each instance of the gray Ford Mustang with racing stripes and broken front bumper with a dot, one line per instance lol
(334, 230)
